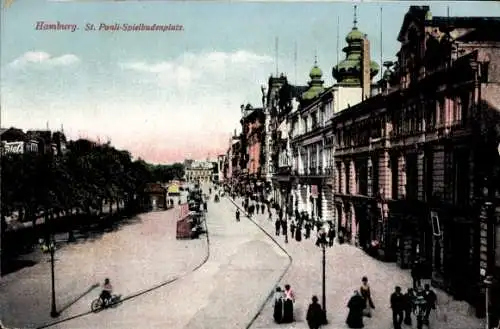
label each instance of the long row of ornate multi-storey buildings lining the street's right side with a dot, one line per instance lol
(409, 164)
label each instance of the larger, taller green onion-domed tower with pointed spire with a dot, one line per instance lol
(350, 70)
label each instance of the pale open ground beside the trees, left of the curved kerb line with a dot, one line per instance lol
(137, 256)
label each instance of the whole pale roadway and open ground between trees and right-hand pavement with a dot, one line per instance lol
(225, 292)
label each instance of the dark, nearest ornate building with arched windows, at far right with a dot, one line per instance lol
(417, 166)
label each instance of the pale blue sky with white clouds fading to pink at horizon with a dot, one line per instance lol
(170, 95)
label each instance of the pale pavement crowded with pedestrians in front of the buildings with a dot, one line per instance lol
(346, 265)
